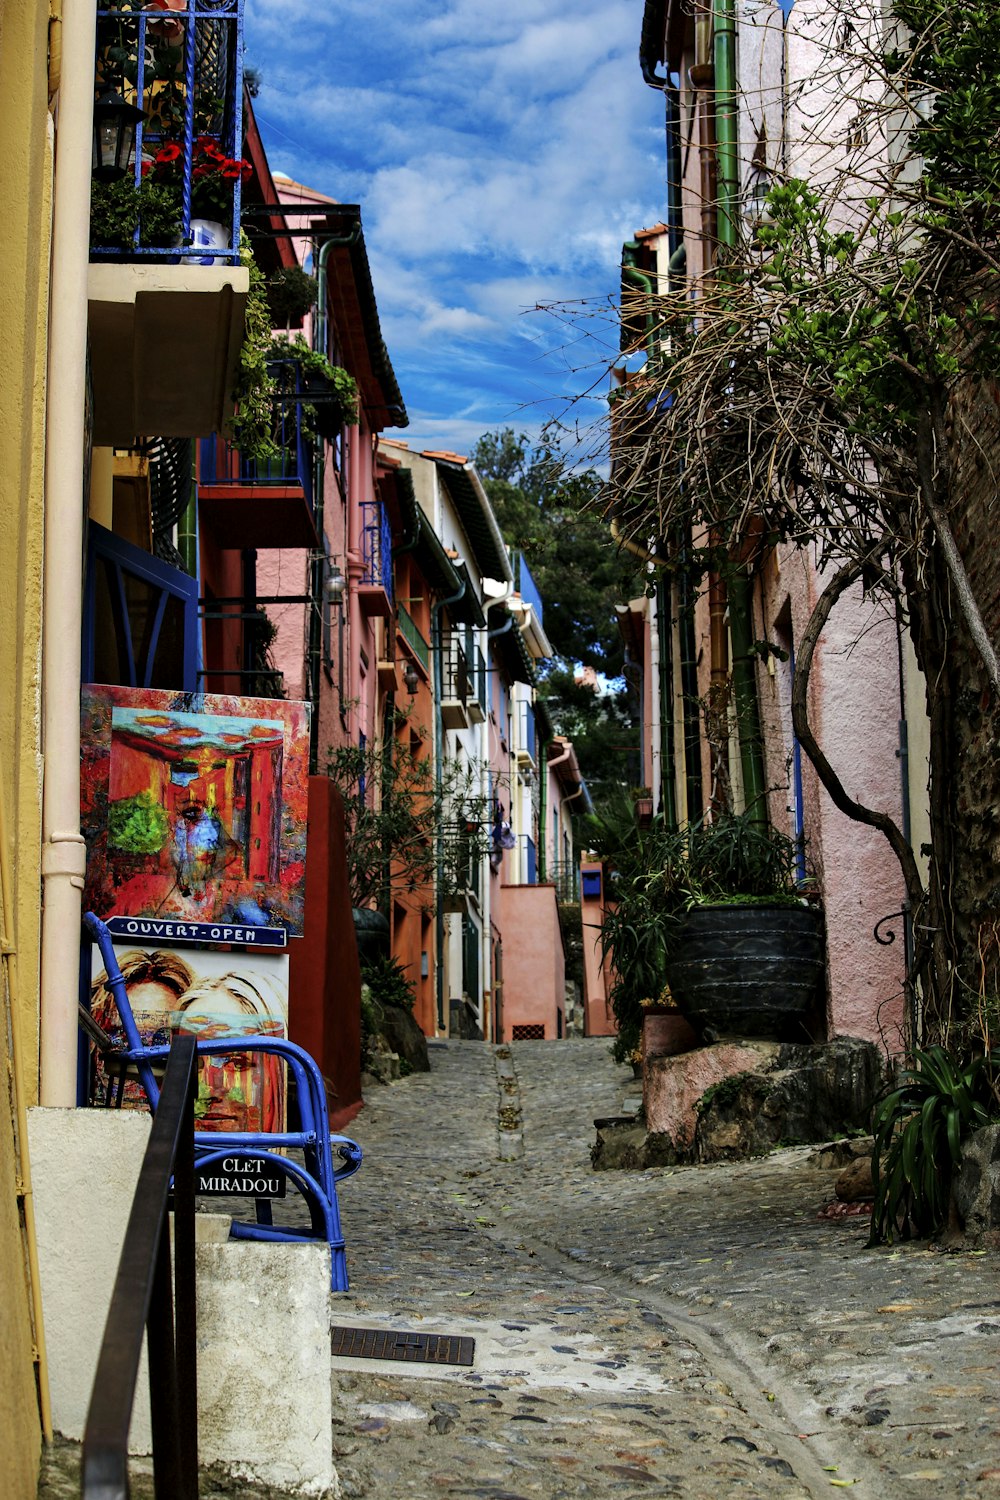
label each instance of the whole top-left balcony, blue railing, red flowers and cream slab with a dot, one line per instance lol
(167, 295)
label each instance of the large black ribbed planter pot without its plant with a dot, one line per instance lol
(749, 971)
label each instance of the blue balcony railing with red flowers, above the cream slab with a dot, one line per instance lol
(184, 71)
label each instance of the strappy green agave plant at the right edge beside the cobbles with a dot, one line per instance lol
(920, 1127)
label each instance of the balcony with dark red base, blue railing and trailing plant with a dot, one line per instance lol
(263, 503)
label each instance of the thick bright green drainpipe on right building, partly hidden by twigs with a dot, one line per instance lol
(738, 580)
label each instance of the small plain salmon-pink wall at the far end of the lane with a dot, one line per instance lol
(534, 962)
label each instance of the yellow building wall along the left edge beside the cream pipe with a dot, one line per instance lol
(26, 176)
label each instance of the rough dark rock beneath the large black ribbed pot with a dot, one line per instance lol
(806, 1094)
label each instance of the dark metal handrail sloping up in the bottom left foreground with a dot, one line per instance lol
(148, 1298)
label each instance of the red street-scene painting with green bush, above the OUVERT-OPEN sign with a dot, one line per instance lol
(194, 806)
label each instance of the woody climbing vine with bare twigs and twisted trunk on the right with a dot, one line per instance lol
(812, 398)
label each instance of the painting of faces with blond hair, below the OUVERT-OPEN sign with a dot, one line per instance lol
(208, 995)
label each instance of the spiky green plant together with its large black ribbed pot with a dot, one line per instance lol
(714, 913)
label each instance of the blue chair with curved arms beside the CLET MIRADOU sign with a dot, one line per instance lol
(317, 1180)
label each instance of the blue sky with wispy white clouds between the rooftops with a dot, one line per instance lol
(501, 151)
